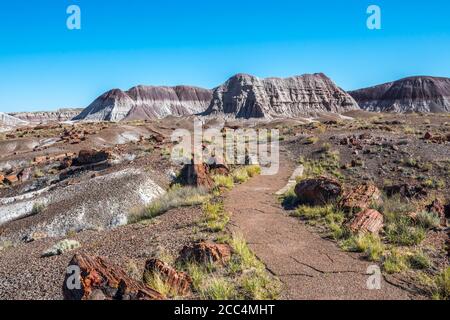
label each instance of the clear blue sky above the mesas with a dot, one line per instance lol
(43, 65)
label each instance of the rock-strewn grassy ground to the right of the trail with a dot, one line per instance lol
(379, 185)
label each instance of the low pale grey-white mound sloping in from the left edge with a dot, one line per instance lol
(98, 203)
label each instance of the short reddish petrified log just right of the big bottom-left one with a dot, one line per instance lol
(180, 282)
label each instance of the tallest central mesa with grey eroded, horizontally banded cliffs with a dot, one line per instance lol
(246, 96)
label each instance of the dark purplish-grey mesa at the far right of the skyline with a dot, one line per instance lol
(414, 94)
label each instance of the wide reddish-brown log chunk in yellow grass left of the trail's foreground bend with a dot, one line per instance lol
(205, 252)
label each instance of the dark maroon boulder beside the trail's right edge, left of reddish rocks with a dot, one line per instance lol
(318, 191)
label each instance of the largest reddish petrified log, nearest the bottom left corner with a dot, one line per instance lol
(102, 280)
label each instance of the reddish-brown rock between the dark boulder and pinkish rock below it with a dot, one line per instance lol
(360, 198)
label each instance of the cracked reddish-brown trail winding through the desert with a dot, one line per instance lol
(309, 266)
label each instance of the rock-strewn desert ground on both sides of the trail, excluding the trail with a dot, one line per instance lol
(106, 197)
